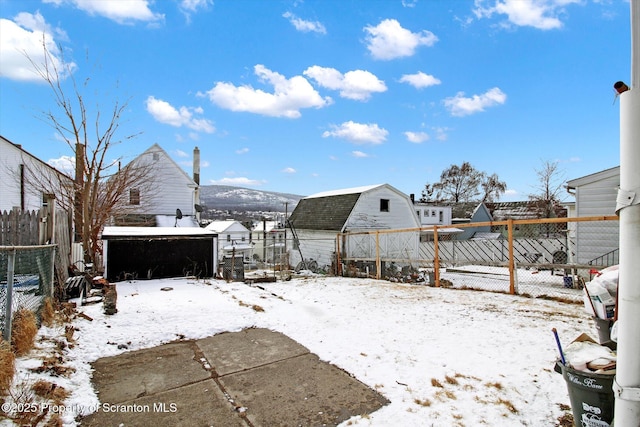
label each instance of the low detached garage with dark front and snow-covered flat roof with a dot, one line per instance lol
(158, 252)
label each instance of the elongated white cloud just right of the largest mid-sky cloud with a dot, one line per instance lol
(357, 84)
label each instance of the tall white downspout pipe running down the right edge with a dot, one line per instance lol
(626, 386)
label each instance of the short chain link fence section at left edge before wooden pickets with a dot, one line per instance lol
(26, 279)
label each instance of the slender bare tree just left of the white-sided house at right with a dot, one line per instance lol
(551, 183)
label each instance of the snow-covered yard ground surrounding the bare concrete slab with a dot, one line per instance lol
(443, 357)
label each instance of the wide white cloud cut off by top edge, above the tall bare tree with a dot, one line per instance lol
(122, 12)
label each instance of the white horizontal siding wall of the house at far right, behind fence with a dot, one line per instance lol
(597, 199)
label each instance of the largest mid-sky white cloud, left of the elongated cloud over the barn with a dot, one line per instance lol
(288, 98)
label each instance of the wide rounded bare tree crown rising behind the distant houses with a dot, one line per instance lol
(463, 183)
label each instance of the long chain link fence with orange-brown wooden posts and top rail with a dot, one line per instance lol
(543, 257)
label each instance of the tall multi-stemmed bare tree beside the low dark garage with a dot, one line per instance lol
(100, 185)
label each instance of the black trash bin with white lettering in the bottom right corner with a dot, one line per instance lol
(591, 396)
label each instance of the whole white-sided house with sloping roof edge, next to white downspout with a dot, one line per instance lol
(596, 243)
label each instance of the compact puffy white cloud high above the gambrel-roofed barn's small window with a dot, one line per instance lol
(388, 40)
